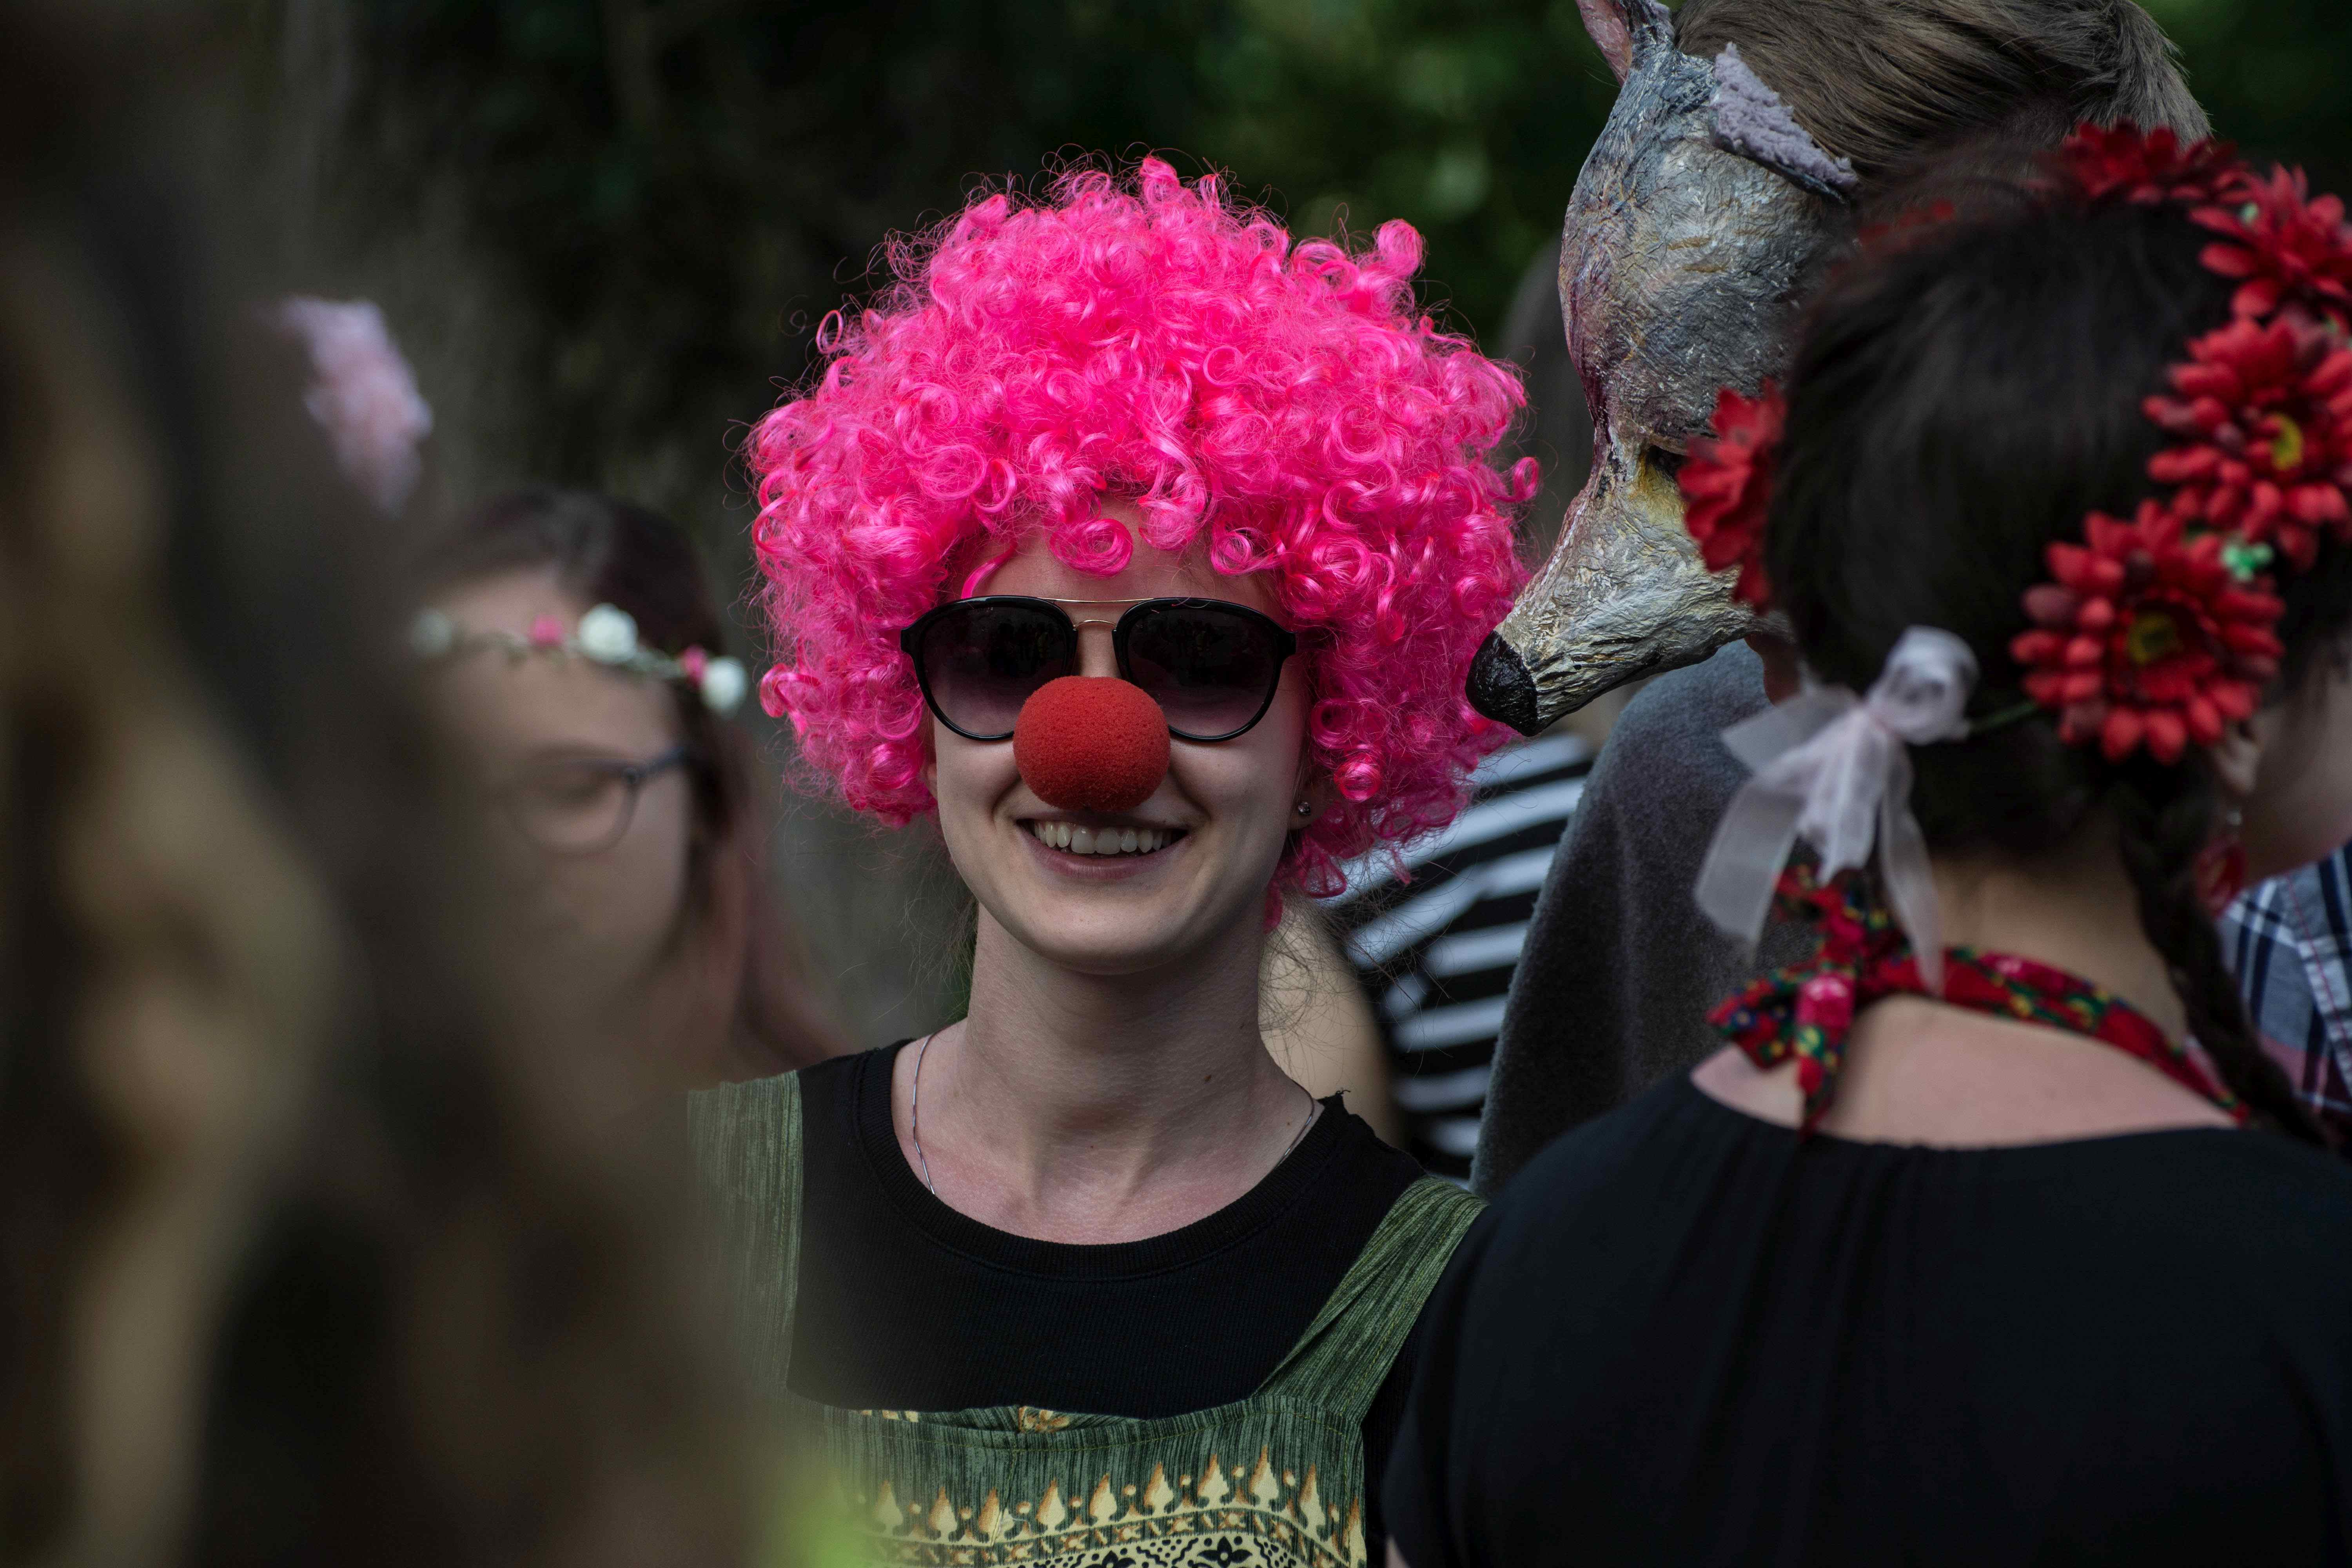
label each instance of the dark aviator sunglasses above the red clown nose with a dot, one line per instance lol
(1212, 666)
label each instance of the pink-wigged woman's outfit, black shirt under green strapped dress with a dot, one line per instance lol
(1215, 1395)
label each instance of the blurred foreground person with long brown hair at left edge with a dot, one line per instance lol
(314, 1245)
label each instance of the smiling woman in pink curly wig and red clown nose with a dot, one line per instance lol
(1149, 551)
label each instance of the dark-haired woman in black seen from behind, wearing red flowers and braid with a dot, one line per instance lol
(1993, 1235)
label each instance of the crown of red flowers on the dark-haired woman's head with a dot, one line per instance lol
(2158, 631)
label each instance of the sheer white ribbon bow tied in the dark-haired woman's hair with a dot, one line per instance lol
(1836, 770)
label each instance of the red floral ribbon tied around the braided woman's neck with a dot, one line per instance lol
(1808, 1010)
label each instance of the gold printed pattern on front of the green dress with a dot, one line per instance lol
(1259, 1517)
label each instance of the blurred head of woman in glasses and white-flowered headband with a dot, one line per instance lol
(575, 652)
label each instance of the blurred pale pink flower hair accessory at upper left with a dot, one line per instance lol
(363, 396)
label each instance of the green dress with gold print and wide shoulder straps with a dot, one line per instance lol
(1271, 1482)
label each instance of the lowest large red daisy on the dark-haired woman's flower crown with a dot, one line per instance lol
(2146, 638)
